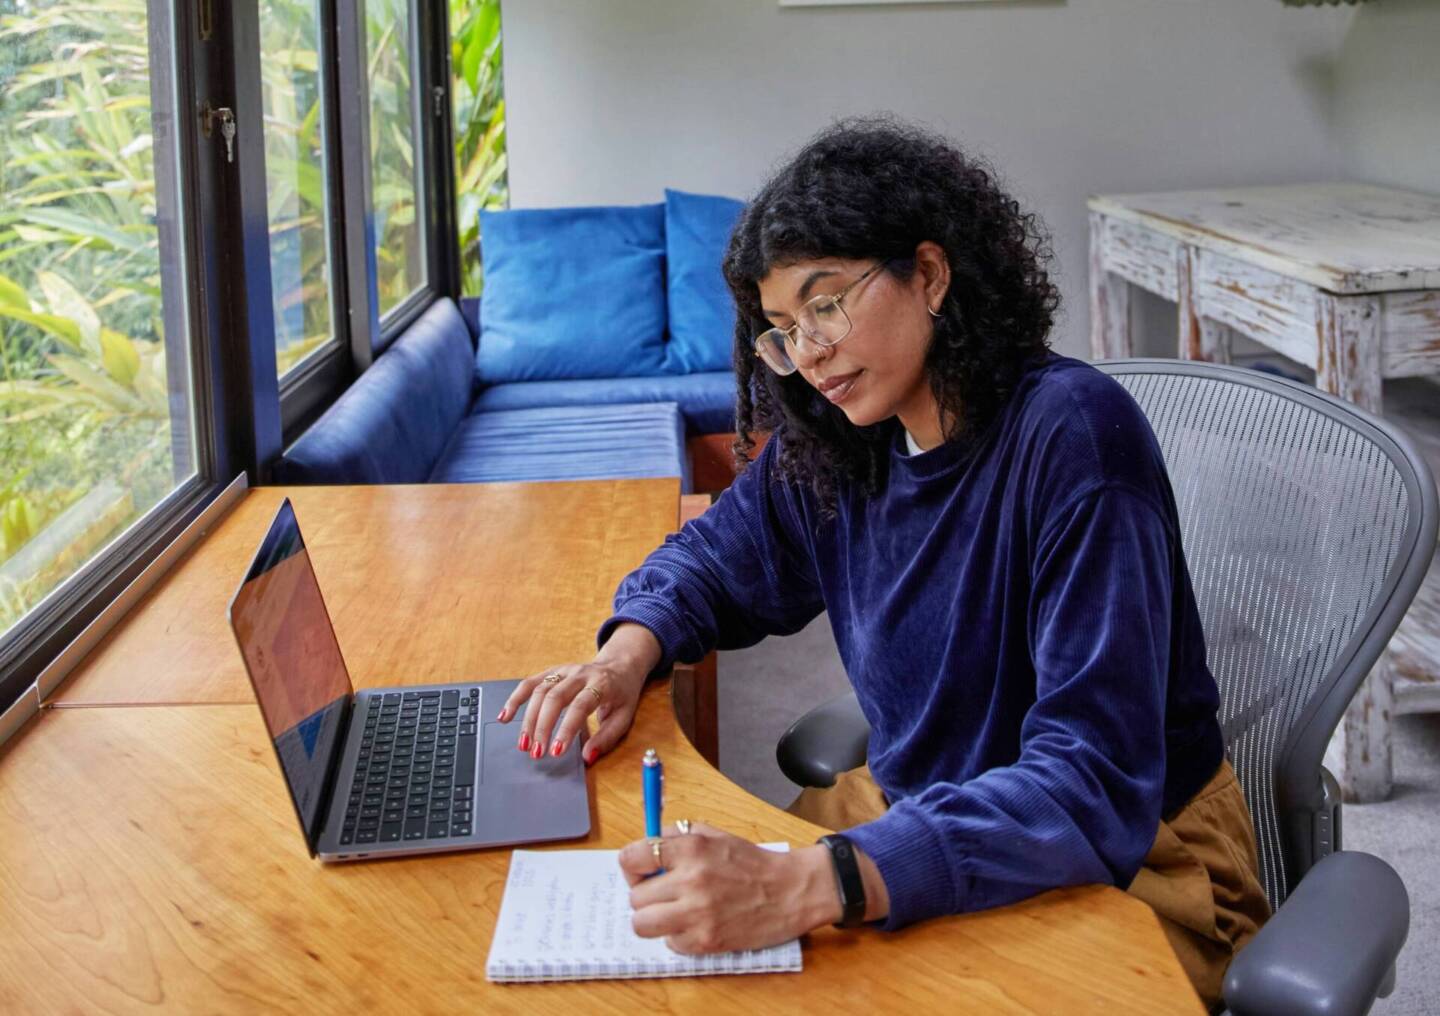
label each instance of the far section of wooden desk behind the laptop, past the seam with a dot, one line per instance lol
(428, 584)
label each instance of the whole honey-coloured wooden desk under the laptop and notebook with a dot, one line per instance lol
(132, 884)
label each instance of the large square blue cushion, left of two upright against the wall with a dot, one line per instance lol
(572, 293)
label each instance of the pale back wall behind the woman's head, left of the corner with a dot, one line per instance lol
(610, 101)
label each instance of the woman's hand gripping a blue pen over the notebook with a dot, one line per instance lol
(721, 893)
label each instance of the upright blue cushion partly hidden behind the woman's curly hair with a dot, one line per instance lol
(702, 313)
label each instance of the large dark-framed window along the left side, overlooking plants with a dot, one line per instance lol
(158, 335)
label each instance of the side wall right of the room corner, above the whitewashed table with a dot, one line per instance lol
(1389, 96)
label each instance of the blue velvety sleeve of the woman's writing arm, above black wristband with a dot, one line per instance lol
(1084, 799)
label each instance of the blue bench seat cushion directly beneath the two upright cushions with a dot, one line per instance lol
(706, 401)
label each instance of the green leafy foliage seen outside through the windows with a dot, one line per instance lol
(84, 404)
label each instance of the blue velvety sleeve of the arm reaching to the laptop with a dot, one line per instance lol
(731, 578)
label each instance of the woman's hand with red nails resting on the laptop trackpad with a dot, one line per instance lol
(610, 687)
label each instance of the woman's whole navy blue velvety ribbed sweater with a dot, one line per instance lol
(1019, 624)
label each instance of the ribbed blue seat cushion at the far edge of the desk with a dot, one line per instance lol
(593, 443)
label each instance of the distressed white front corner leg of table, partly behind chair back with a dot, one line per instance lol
(1347, 365)
